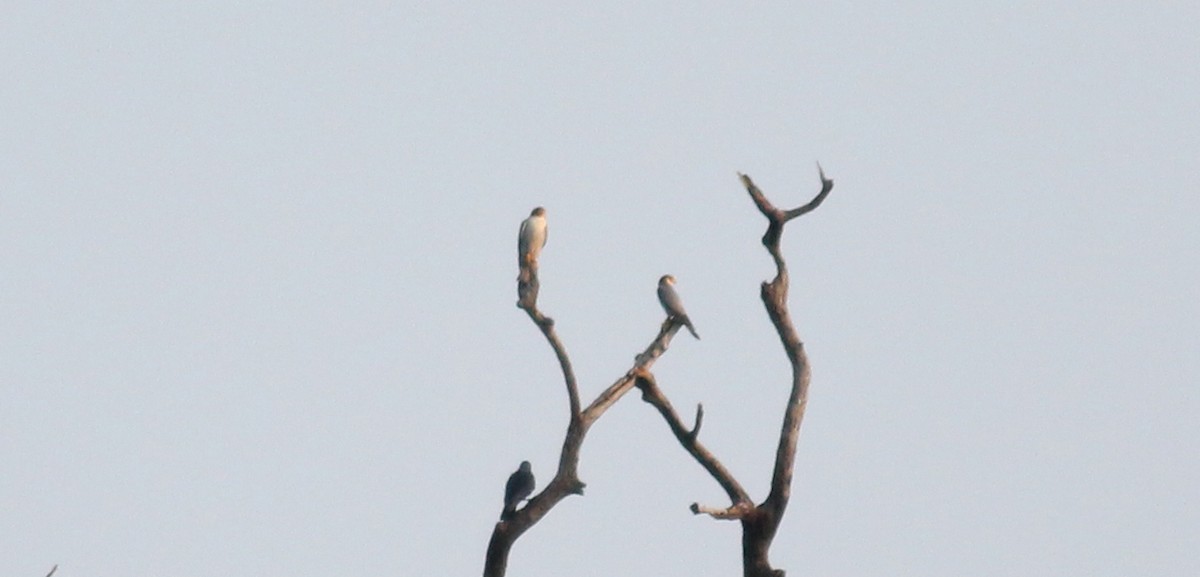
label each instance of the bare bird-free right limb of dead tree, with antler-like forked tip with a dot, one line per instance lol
(759, 524)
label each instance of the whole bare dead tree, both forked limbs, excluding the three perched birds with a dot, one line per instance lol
(759, 522)
